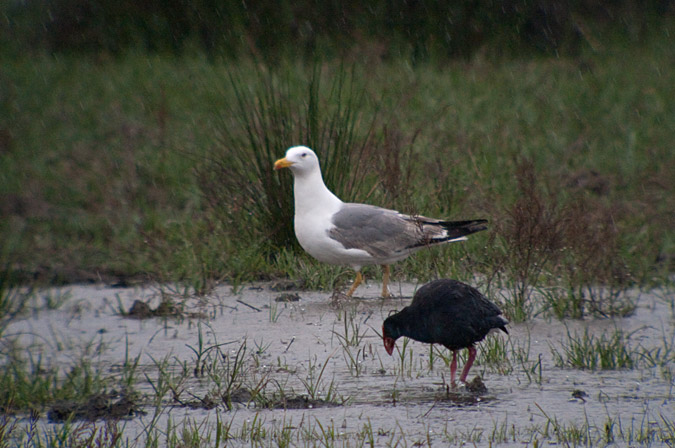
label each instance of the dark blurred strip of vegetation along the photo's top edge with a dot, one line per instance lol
(277, 29)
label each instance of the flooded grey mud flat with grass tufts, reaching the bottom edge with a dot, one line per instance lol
(284, 368)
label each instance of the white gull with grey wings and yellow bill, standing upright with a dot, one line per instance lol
(343, 233)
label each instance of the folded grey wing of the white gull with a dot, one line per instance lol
(381, 232)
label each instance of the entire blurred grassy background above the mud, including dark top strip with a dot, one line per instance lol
(122, 125)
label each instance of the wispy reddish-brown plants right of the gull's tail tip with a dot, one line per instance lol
(549, 236)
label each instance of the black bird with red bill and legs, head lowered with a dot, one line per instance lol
(445, 312)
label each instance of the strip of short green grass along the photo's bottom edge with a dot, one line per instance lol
(286, 432)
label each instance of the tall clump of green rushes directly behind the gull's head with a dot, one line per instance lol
(273, 110)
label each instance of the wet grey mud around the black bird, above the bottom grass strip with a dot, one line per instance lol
(311, 355)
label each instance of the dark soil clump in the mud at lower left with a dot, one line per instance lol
(107, 406)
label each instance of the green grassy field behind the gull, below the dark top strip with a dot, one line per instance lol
(103, 163)
